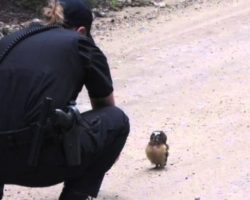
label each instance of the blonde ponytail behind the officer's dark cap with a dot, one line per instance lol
(53, 13)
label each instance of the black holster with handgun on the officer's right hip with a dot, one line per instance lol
(69, 123)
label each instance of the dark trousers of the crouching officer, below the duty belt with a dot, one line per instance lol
(100, 149)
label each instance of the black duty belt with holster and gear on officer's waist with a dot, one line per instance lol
(54, 124)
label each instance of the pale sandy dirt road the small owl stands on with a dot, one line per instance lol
(187, 73)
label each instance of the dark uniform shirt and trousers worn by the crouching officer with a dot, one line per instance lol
(56, 63)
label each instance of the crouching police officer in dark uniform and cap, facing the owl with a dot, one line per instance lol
(44, 140)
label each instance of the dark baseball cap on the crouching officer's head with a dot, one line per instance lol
(77, 13)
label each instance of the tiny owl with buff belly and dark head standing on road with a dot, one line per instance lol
(157, 149)
